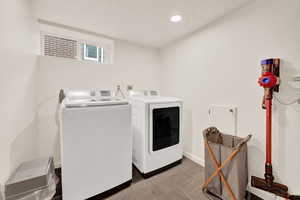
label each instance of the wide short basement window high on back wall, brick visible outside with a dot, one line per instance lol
(79, 49)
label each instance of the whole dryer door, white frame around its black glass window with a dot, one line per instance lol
(164, 126)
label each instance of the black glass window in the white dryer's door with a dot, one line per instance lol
(165, 127)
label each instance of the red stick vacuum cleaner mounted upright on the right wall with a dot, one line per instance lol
(269, 80)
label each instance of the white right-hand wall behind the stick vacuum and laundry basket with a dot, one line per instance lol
(220, 64)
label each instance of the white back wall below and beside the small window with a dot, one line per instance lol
(133, 64)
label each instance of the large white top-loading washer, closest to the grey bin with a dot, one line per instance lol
(96, 144)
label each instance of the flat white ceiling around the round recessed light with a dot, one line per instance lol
(140, 21)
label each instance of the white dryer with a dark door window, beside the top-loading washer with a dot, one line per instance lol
(157, 138)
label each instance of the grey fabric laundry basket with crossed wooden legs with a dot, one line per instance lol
(226, 167)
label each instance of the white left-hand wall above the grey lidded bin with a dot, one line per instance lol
(18, 39)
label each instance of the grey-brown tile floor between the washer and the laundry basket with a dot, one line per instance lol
(182, 182)
